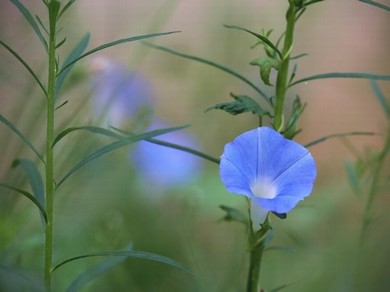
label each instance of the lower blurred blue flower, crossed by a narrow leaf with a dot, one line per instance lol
(166, 167)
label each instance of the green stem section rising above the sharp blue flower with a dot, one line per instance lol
(281, 80)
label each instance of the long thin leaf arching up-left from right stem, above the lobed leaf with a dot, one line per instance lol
(212, 64)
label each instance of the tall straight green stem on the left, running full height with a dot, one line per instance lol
(52, 71)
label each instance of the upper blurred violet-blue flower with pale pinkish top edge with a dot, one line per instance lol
(118, 93)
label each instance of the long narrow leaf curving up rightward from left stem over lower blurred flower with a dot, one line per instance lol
(114, 146)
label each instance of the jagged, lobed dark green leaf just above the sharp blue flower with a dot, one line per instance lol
(242, 104)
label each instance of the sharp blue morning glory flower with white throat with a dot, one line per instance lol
(274, 172)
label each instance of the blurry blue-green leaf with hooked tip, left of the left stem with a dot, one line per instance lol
(34, 178)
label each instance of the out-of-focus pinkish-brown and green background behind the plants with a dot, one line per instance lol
(112, 202)
